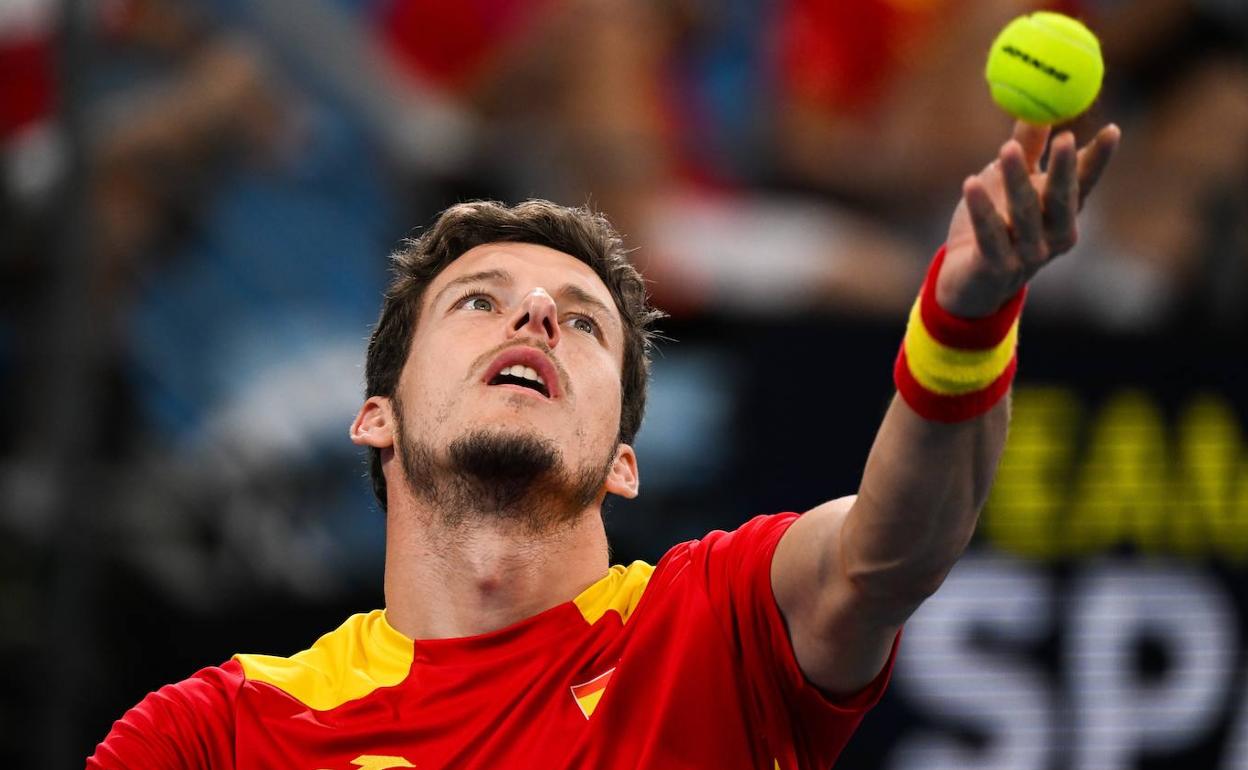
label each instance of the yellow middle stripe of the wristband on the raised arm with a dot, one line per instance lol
(949, 371)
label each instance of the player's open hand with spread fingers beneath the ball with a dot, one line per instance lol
(1014, 219)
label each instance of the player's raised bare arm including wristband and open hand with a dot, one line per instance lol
(849, 572)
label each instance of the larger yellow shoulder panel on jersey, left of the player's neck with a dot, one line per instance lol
(361, 656)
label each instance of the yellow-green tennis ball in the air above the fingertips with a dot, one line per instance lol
(1045, 68)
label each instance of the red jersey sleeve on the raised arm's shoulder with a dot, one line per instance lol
(803, 727)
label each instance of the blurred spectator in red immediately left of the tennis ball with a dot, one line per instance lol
(884, 100)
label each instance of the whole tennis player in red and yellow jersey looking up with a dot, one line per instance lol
(506, 384)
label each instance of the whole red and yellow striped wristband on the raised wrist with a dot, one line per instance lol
(953, 369)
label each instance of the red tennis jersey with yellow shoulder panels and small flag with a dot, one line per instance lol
(687, 665)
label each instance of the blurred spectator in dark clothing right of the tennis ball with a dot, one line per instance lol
(1163, 244)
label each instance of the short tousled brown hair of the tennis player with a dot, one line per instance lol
(580, 233)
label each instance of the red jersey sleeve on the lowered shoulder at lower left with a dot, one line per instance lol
(185, 726)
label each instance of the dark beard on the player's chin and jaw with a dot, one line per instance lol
(490, 475)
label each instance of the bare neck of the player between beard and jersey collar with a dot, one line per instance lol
(481, 576)
